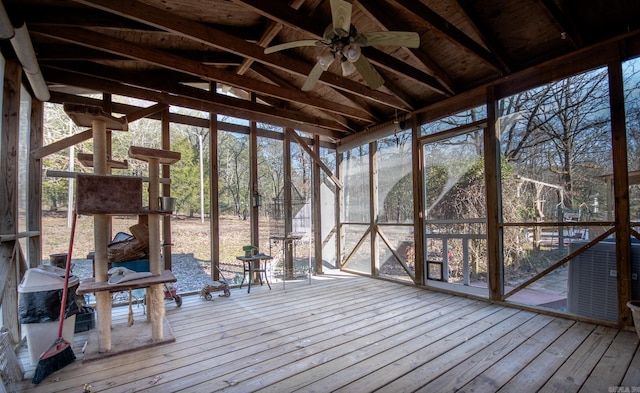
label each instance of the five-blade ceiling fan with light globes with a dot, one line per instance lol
(344, 43)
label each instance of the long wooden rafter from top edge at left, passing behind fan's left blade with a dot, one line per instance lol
(222, 40)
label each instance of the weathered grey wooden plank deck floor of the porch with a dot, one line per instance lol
(355, 334)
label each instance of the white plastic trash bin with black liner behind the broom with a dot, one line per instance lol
(40, 336)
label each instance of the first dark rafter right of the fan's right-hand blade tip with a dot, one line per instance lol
(450, 32)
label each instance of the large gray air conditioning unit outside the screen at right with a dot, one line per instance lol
(592, 287)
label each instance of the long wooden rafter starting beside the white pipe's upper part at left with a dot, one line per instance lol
(163, 59)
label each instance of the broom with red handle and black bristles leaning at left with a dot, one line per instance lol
(60, 353)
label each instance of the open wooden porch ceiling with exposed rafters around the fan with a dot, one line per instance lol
(169, 51)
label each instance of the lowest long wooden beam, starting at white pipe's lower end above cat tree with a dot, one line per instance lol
(212, 103)
